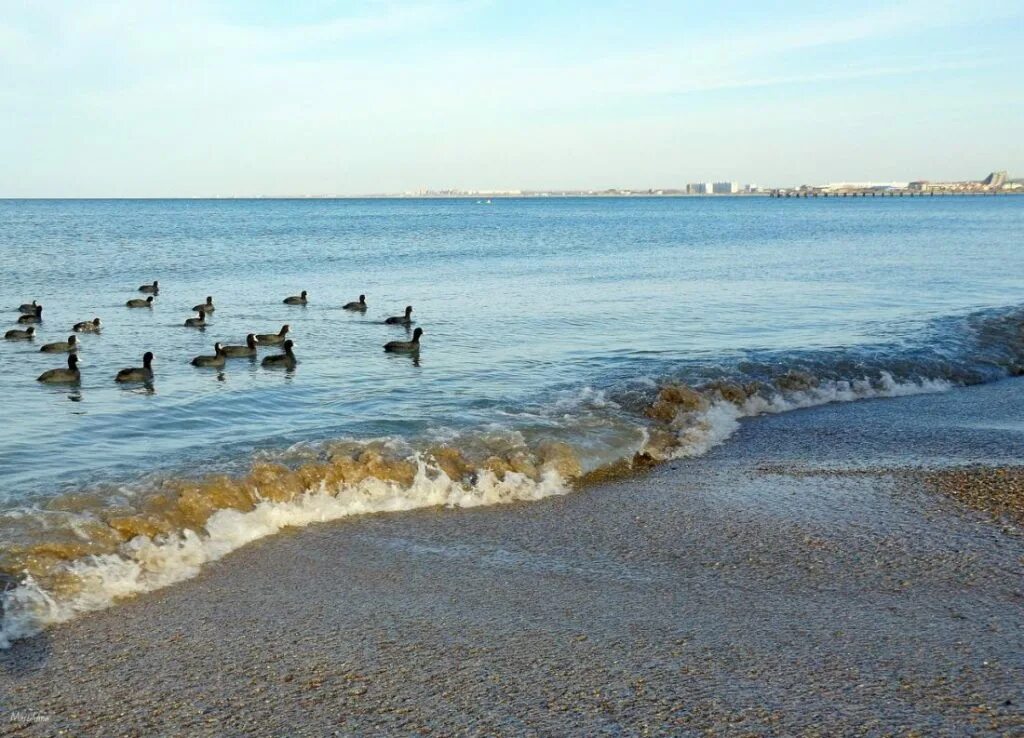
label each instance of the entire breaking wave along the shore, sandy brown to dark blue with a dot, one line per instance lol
(86, 551)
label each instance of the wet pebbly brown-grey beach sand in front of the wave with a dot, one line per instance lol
(722, 596)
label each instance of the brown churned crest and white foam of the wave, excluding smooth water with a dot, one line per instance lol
(113, 551)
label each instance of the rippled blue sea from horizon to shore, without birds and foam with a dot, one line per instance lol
(544, 320)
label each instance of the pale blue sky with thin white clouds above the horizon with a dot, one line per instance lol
(263, 98)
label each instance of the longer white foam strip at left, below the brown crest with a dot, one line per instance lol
(146, 563)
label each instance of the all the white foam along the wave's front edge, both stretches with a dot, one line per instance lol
(146, 565)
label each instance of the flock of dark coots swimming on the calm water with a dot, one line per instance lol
(32, 315)
